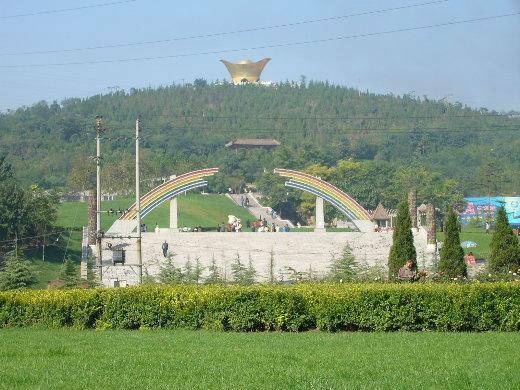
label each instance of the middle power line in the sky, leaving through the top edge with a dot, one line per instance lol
(232, 32)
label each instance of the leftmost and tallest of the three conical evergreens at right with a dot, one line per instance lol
(402, 248)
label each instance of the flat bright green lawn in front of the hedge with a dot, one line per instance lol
(34, 358)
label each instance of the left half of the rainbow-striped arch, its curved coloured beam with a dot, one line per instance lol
(168, 190)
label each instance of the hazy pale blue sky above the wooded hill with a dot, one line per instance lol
(476, 63)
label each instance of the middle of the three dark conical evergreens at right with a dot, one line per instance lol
(452, 262)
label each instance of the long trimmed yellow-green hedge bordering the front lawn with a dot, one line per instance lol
(332, 307)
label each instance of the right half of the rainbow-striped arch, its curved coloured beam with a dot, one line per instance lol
(332, 194)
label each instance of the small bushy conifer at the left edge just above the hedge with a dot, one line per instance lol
(16, 273)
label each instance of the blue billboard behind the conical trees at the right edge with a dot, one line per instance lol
(484, 208)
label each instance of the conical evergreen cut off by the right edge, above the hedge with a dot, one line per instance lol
(505, 249)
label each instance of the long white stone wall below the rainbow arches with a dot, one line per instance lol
(300, 251)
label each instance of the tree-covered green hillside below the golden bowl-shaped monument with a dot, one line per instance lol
(185, 127)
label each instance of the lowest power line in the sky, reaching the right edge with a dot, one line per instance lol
(273, 46)
